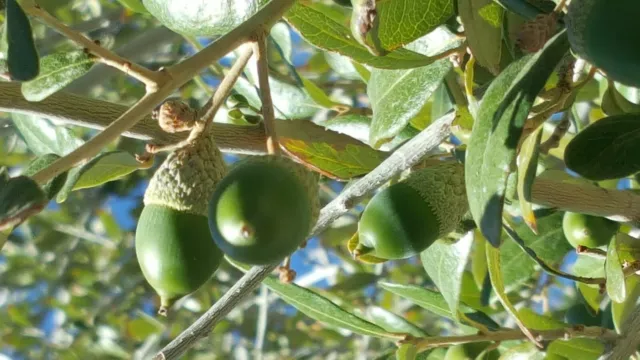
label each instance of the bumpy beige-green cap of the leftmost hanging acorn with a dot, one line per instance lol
(188, 177)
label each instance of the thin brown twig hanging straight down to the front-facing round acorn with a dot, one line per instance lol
(273, 145)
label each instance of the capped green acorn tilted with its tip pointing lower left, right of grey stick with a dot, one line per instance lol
(405, 218)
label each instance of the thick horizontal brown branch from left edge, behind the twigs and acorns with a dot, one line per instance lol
(97, 114)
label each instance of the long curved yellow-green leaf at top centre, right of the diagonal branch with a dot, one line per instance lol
(325, 33)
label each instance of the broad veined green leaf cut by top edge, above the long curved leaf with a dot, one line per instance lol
(403, 21)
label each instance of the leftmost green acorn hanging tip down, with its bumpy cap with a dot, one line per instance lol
(173, 245)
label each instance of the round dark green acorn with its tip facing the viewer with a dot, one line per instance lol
(264, 209)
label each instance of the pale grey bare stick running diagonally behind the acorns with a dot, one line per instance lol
(403, 158)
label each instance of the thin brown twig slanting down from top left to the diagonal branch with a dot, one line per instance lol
(152, 79)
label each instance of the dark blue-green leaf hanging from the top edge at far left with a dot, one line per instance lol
(22, 56)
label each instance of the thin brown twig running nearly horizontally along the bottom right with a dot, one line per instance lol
(591, 332)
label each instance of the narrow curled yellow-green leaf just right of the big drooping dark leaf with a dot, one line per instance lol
(527, 166)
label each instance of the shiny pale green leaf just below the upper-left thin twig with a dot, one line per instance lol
(57, 71)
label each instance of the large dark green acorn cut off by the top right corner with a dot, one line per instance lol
(604, 32)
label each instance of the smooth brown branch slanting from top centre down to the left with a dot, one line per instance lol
(178, 75)
